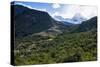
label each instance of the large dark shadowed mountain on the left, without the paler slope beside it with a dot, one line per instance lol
(29, 21)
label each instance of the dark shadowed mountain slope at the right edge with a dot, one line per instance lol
(87, 25)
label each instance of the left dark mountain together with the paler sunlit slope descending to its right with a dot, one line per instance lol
(29, 21)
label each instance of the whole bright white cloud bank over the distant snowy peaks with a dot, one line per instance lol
(68, 11)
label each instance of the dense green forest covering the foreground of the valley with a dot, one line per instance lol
(62, 48)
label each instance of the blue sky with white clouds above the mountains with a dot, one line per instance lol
(63, 10)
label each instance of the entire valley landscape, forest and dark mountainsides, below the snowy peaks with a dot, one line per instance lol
(40, 39)
